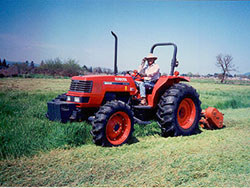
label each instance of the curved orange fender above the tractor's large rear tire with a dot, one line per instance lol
(162, 85)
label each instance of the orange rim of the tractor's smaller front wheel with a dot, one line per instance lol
(118, 128)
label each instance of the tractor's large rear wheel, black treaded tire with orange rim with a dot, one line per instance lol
(179, 111)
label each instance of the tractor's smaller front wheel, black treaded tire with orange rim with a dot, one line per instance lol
(113, 124)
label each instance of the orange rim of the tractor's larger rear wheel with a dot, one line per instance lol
(186, 113)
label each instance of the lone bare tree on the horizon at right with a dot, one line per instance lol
(225, 63)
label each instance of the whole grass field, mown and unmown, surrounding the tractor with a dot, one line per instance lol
(37, 152)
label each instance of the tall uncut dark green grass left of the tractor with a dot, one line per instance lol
(25, 130)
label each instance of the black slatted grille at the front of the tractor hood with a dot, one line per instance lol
(81, 86)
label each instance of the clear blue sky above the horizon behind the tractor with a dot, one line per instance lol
(37, 30)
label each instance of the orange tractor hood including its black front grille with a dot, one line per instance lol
(95, 87)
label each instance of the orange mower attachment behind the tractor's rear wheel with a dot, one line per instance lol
(212, 119)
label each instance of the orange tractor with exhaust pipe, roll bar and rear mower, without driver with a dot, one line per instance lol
(111, 104)
